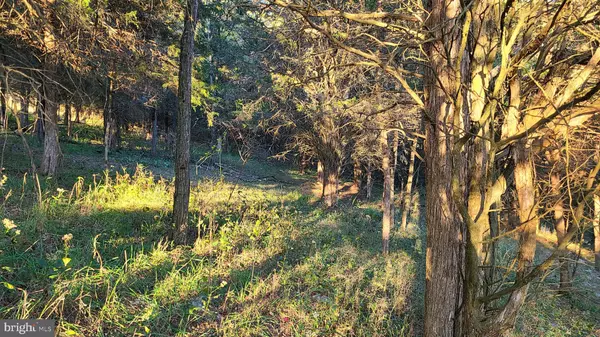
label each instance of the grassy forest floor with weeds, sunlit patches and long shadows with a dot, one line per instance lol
(269, 260)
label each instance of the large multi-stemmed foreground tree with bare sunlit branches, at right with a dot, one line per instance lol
(478, 81)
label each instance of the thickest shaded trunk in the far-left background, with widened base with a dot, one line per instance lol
(51, 154)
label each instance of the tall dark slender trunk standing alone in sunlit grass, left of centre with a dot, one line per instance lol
(182, 149)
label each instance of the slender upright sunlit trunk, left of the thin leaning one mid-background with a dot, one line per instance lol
(388, 191)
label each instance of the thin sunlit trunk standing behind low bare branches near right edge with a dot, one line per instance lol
(560, 225)
